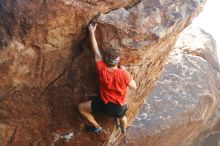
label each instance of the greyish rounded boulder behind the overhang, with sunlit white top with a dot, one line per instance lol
(183, 109)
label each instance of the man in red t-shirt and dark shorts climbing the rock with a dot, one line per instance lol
(114, 81)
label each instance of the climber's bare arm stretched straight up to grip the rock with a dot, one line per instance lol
(95, 48)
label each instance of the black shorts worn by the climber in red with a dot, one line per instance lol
(112, 109)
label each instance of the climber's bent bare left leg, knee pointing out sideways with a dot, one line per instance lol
(86, 111)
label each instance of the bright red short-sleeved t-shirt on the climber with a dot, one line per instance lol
(113, 85)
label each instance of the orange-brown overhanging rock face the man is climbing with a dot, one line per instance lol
(47, 68)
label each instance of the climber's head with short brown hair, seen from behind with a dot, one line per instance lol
(111, 57)
